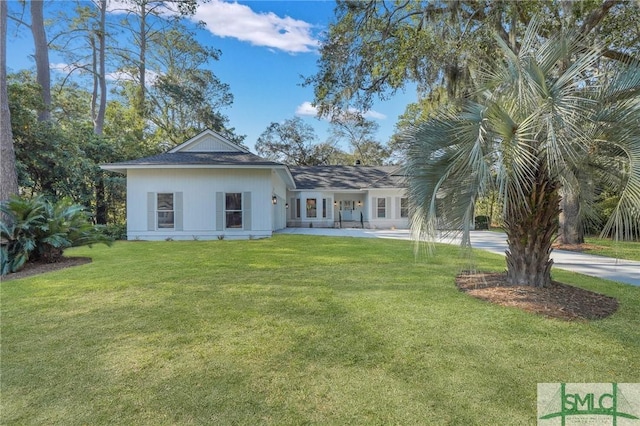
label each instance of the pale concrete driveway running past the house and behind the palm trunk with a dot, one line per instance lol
(624, 271)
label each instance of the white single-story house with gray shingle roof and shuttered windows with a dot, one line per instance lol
(209, 187)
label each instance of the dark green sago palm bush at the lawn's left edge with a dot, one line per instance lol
(37, 229)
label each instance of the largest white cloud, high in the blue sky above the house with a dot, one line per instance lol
(239, 21)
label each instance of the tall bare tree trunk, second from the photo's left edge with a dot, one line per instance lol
(42, 57)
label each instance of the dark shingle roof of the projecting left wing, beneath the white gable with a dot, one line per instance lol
(199, 158)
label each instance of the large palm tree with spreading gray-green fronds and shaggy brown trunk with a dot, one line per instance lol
(537, 116)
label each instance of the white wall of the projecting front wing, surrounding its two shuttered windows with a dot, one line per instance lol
(199, 188)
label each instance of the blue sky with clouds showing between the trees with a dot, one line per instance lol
(266, 47)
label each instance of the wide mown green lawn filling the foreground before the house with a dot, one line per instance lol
(286, 331)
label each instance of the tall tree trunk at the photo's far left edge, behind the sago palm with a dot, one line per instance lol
(8, 177)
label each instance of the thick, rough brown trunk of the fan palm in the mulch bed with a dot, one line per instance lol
(530, 227)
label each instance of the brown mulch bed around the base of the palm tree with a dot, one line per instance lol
(559, 301)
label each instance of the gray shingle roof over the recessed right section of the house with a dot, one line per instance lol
(347, 177)
